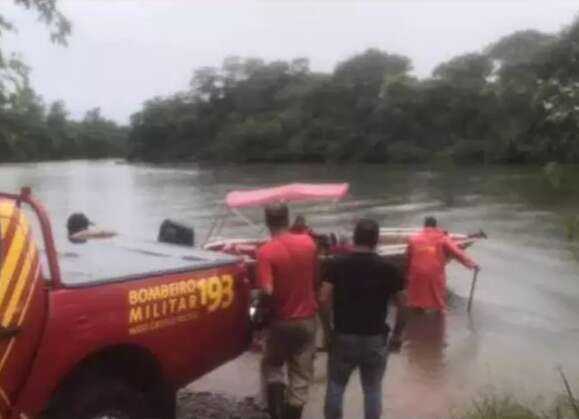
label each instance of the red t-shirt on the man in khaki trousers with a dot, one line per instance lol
(288, 264)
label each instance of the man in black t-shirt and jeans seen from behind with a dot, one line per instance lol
(360, 287)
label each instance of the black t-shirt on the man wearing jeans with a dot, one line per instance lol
(363, 284)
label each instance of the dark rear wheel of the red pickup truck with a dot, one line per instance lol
(104, 399)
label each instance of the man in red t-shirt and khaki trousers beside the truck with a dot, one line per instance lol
(287, 275)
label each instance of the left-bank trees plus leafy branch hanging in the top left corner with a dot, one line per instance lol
(32, 130)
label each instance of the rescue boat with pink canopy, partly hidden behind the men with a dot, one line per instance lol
(392, 241)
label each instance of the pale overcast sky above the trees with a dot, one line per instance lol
(122, 52)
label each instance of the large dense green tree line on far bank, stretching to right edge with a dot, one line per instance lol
(516, 101)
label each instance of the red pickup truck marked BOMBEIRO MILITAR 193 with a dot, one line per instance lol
(109, 328)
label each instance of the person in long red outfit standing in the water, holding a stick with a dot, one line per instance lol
(427, 254)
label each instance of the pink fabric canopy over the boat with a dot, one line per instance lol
(286, 193)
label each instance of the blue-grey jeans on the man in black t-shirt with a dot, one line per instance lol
(369, 354)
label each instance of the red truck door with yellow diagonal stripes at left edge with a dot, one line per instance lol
(22, 302)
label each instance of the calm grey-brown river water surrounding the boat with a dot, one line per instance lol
(525, 321)
